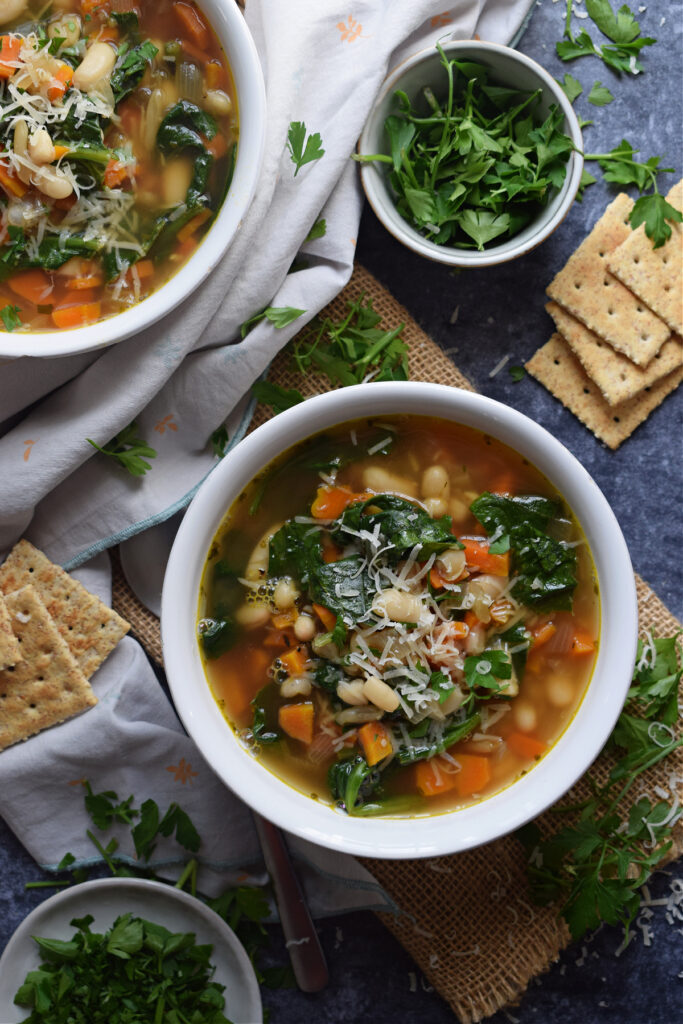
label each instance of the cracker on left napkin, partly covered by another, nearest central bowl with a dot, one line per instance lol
(91, 630)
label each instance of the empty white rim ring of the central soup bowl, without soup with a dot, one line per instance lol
(424, 836)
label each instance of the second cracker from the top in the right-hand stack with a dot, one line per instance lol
(587, 289)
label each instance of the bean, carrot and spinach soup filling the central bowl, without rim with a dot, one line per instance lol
(412, 615)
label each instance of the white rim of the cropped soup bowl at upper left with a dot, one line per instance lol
(229, 24)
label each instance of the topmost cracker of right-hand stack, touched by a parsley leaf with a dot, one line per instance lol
(655, 275)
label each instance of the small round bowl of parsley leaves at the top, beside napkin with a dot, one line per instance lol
(472, 155)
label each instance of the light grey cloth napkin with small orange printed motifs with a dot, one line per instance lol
(182, 379)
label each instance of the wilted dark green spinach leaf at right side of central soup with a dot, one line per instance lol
(545, 569)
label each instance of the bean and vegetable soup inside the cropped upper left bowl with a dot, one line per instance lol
(108, 181)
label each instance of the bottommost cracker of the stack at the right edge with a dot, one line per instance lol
(558, 368)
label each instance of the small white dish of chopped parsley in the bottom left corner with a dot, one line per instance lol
(138, 916)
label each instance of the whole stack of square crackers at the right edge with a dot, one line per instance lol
(618, 307)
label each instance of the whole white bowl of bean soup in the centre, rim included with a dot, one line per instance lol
(400, 621)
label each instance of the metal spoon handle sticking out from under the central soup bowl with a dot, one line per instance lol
(304, 945)
